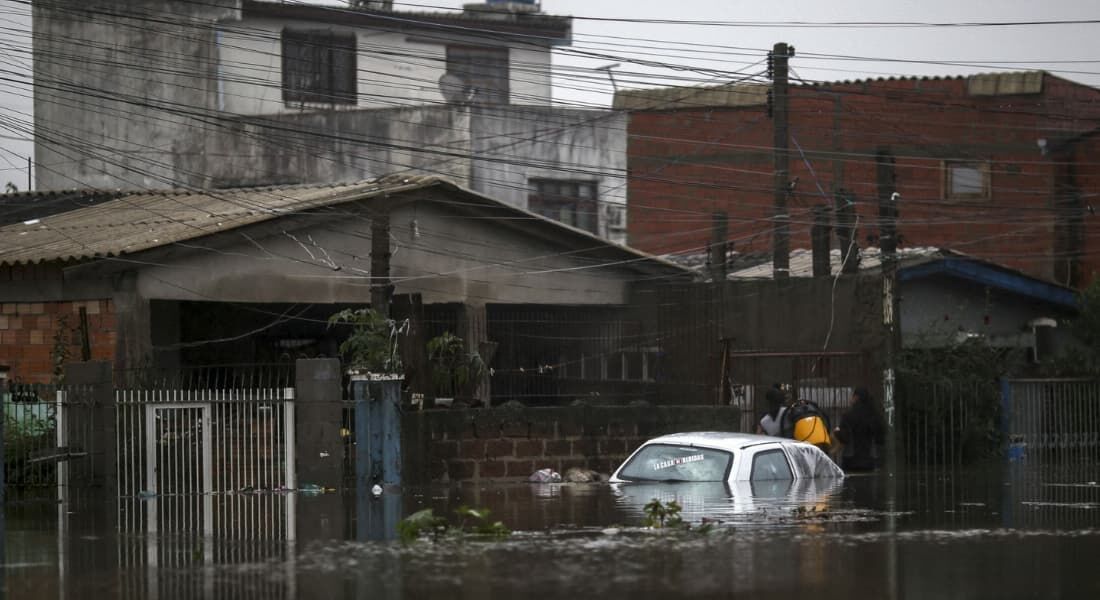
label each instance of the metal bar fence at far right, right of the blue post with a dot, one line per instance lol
(1053, 419)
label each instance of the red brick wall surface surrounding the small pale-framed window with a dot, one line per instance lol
(687, 165)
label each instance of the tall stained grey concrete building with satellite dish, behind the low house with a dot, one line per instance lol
(161, 94)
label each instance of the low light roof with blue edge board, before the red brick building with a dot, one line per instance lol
(917, 264)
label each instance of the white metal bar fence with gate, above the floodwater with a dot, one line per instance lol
(207, 462)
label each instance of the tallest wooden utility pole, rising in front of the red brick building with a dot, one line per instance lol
(782, 228)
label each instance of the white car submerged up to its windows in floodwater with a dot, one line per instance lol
(716, 456)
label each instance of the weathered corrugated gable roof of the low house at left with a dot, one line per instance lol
(137, 222)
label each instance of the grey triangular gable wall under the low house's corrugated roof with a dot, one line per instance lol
(438, 252)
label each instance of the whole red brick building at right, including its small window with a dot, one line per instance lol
(998, 167)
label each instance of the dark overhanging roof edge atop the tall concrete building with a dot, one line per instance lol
(551, 29)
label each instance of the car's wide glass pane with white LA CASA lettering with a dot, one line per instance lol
(672, 463)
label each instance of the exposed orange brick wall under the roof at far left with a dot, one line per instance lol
(28, 333)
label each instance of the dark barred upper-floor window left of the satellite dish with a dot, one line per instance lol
(320, 68)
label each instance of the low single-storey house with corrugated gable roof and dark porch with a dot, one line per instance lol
(174, 279)
